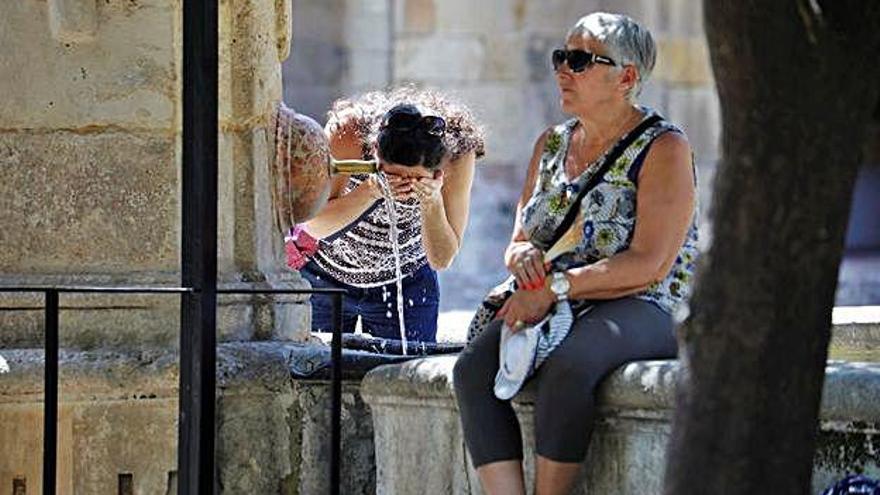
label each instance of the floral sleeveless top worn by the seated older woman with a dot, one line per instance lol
(608, 210)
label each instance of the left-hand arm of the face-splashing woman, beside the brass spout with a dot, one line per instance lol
(341, 208)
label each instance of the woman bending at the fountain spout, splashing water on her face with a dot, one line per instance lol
(427, 146)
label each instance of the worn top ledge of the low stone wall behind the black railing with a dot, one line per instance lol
(242, 368)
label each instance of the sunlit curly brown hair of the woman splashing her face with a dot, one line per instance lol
(364, 112)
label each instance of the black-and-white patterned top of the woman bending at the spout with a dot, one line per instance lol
(361, 254)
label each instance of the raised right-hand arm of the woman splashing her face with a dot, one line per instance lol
(445, 216)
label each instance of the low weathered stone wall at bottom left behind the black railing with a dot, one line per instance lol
(118, 424)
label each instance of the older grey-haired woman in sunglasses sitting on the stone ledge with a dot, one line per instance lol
(627, 177)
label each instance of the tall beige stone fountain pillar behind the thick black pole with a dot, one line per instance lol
(90, 126)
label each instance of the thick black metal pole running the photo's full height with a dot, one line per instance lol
(198, 354)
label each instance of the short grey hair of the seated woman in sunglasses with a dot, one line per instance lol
(627, 41)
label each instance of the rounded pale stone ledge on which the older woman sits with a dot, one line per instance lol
(640, 389)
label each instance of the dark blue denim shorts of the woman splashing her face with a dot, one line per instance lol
(377, 306)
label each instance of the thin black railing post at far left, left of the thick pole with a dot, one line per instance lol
(50, 389)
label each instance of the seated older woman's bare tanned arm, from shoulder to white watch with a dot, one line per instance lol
(665, 207)
